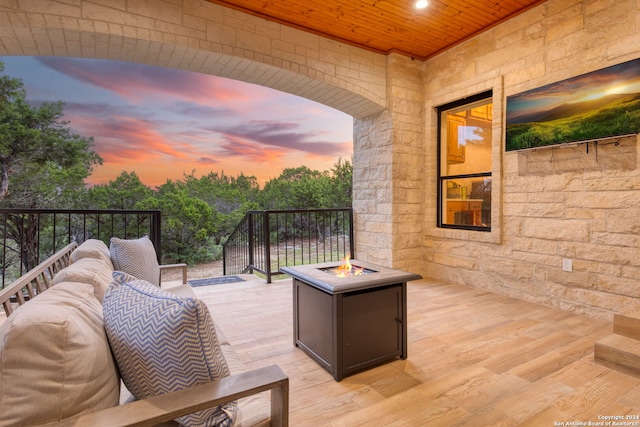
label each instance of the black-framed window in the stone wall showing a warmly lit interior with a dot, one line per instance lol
(464, 174)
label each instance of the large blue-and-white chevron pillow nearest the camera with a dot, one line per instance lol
(162, 343)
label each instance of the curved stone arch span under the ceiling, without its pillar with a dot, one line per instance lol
(202, 37)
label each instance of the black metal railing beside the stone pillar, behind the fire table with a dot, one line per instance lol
(265, 241)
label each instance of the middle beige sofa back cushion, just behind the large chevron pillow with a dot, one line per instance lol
(94, 271)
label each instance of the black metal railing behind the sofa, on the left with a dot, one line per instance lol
(29, 236)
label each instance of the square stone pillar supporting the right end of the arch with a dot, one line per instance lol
(388, 175)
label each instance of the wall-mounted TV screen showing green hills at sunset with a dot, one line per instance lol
(595, 105)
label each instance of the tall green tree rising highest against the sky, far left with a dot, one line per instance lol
(42, 163)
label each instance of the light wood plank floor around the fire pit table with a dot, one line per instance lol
(475, 359)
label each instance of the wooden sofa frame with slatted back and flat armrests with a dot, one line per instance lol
(157, 409)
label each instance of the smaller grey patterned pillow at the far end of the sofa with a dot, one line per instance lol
(136, 257)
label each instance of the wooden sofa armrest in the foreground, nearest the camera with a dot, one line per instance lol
(166, 407)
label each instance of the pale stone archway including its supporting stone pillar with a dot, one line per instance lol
(203, 37)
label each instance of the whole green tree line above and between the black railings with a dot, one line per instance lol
(45, 165)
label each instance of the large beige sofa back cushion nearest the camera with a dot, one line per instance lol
(55, 360)
